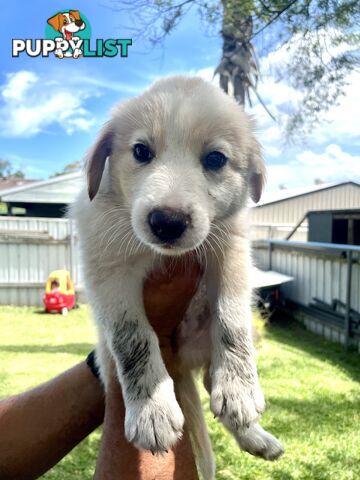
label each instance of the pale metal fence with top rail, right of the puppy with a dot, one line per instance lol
(316, 274)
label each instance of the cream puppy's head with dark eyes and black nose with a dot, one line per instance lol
(182, 157)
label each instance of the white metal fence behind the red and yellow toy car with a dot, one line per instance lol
(30, 248)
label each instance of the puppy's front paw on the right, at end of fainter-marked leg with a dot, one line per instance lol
(238, 405)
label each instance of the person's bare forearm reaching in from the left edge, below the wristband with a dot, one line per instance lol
(39, 427)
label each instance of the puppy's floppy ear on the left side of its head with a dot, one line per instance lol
(96, 159)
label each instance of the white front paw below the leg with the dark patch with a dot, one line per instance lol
(155, 423)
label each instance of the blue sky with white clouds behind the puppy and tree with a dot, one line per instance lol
(51, 109)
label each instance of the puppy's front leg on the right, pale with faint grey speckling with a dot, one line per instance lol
(236, 396)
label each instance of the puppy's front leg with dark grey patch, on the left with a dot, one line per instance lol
(153, 418)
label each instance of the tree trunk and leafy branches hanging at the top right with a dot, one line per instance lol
(321, 37)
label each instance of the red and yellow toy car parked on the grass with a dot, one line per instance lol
(59, 294)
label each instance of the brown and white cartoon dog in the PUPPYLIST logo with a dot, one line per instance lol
(67, 24)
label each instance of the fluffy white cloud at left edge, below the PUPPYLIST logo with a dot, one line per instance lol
(32, 104)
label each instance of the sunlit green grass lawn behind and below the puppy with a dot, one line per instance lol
(311, 386)
